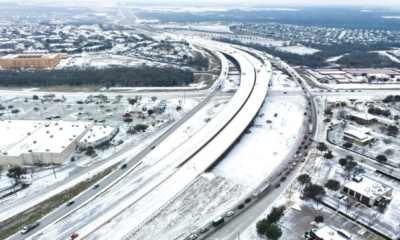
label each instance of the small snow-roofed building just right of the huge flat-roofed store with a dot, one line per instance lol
(97, 136)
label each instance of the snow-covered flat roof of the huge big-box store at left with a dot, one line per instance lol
(39, 136)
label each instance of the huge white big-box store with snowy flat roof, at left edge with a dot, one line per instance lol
(39, 142)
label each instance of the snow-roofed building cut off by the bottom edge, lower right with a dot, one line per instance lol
(326, 232)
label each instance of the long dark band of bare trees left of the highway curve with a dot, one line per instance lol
(107, 77)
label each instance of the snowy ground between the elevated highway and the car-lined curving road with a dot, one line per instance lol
(233, 178)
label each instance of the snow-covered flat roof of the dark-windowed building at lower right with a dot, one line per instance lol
(368, 187)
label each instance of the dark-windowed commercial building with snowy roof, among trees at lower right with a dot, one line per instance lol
(367, 190)
